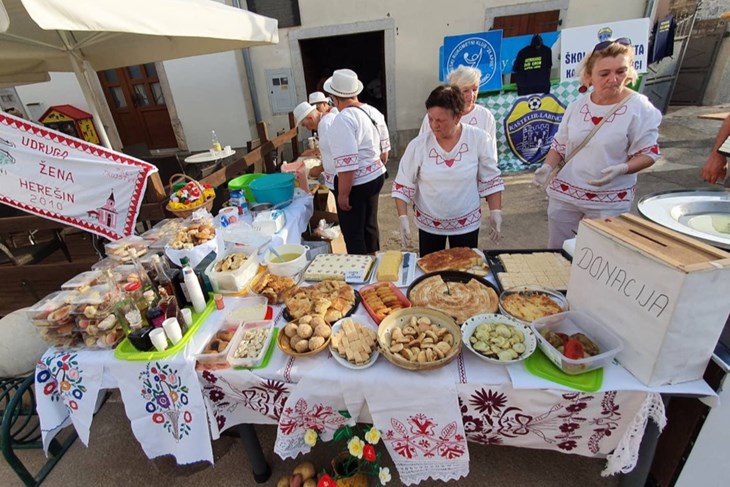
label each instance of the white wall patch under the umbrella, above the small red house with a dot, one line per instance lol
(62, 89)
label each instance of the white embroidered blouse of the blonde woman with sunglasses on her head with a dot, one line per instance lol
(632, 130)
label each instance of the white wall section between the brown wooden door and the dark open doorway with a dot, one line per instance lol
(208, 92)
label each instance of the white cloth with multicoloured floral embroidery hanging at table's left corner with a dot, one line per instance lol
(162, 399)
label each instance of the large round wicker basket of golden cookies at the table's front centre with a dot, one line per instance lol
(419, 338)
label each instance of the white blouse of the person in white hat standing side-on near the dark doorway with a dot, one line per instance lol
(356, 144)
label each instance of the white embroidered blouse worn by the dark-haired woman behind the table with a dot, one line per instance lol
(445, 188)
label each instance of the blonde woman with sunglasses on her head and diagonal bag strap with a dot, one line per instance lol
(599, 178)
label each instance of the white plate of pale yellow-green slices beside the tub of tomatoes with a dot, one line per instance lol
(498, 339)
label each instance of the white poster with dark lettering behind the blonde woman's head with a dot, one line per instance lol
(578, 42)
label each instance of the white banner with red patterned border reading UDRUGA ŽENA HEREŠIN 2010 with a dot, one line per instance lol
(68, 180)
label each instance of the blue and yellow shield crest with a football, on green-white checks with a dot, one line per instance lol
(530, 126)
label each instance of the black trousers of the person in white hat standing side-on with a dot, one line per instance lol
(360, 225)
